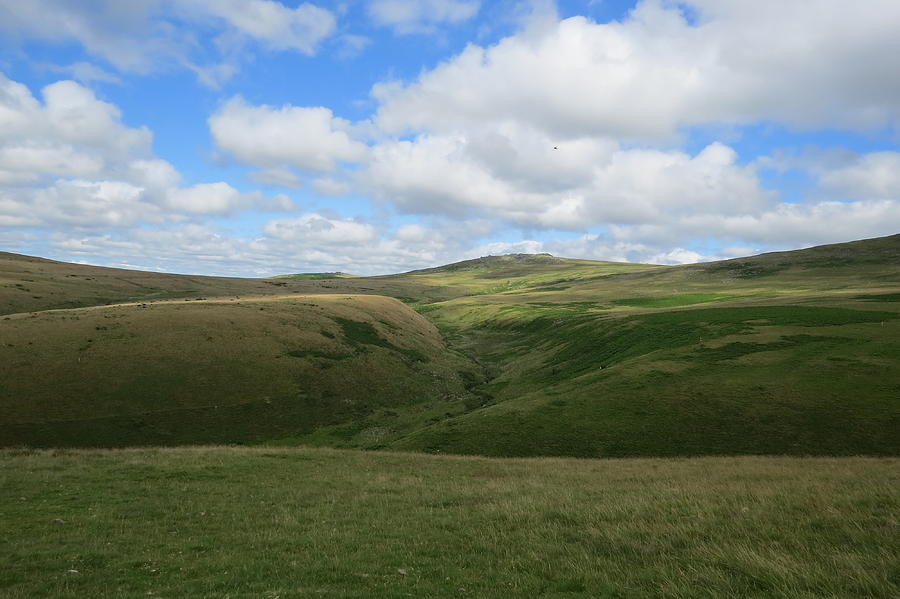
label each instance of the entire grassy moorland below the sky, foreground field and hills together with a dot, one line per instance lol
(185, 436)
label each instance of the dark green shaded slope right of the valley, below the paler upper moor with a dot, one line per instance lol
(753, 379)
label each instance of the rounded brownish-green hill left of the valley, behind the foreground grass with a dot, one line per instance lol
(220, 370)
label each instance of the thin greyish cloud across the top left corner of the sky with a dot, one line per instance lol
(145, 36)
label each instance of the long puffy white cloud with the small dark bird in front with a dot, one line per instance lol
(579, 185)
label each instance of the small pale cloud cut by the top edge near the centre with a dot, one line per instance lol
(420, 16)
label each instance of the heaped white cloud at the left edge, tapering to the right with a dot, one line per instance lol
(67, 160)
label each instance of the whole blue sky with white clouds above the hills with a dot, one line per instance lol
(262, 137)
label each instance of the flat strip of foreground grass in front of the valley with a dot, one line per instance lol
(236, 522)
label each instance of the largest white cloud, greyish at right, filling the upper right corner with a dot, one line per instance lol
(806, 64)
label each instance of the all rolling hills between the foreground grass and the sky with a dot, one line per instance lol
(786, 353)
